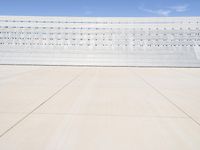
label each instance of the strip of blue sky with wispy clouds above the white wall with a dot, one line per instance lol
(96, 8)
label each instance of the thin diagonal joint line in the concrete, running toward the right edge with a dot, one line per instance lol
(170, 101)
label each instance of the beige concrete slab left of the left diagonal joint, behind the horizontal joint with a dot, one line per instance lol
(23, 93)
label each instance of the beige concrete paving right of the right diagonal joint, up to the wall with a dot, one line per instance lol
(181, 86)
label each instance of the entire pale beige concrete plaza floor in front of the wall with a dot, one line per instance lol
(99, 108)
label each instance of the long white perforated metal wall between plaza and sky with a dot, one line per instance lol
(100, 41)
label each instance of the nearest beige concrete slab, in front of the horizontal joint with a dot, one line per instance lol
(61, 132)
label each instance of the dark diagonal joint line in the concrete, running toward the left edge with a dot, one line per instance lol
(41, 104)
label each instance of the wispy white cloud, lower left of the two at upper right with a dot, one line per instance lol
(160, 12)
